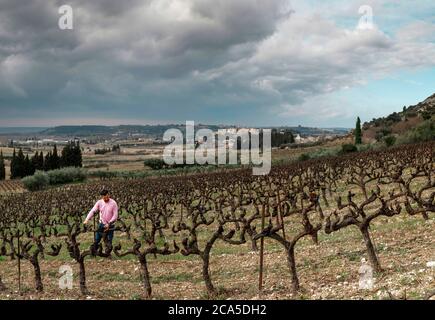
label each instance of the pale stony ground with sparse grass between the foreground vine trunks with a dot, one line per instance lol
(327, 271)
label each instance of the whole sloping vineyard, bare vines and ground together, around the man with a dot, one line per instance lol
(202, 236)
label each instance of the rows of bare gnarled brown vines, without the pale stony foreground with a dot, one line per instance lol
(178, 218)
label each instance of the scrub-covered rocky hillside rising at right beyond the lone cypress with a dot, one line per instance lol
(399, 123)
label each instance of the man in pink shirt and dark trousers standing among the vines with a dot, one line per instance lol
(108, 209)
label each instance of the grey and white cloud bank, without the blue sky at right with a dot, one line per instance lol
(209, 60)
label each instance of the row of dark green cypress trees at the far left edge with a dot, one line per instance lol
(23, 166)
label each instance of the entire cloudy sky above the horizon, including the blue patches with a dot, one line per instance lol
(246, 62)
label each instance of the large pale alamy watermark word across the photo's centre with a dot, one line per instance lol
(226, 146)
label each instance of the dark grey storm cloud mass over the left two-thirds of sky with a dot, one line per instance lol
(121, 54)
